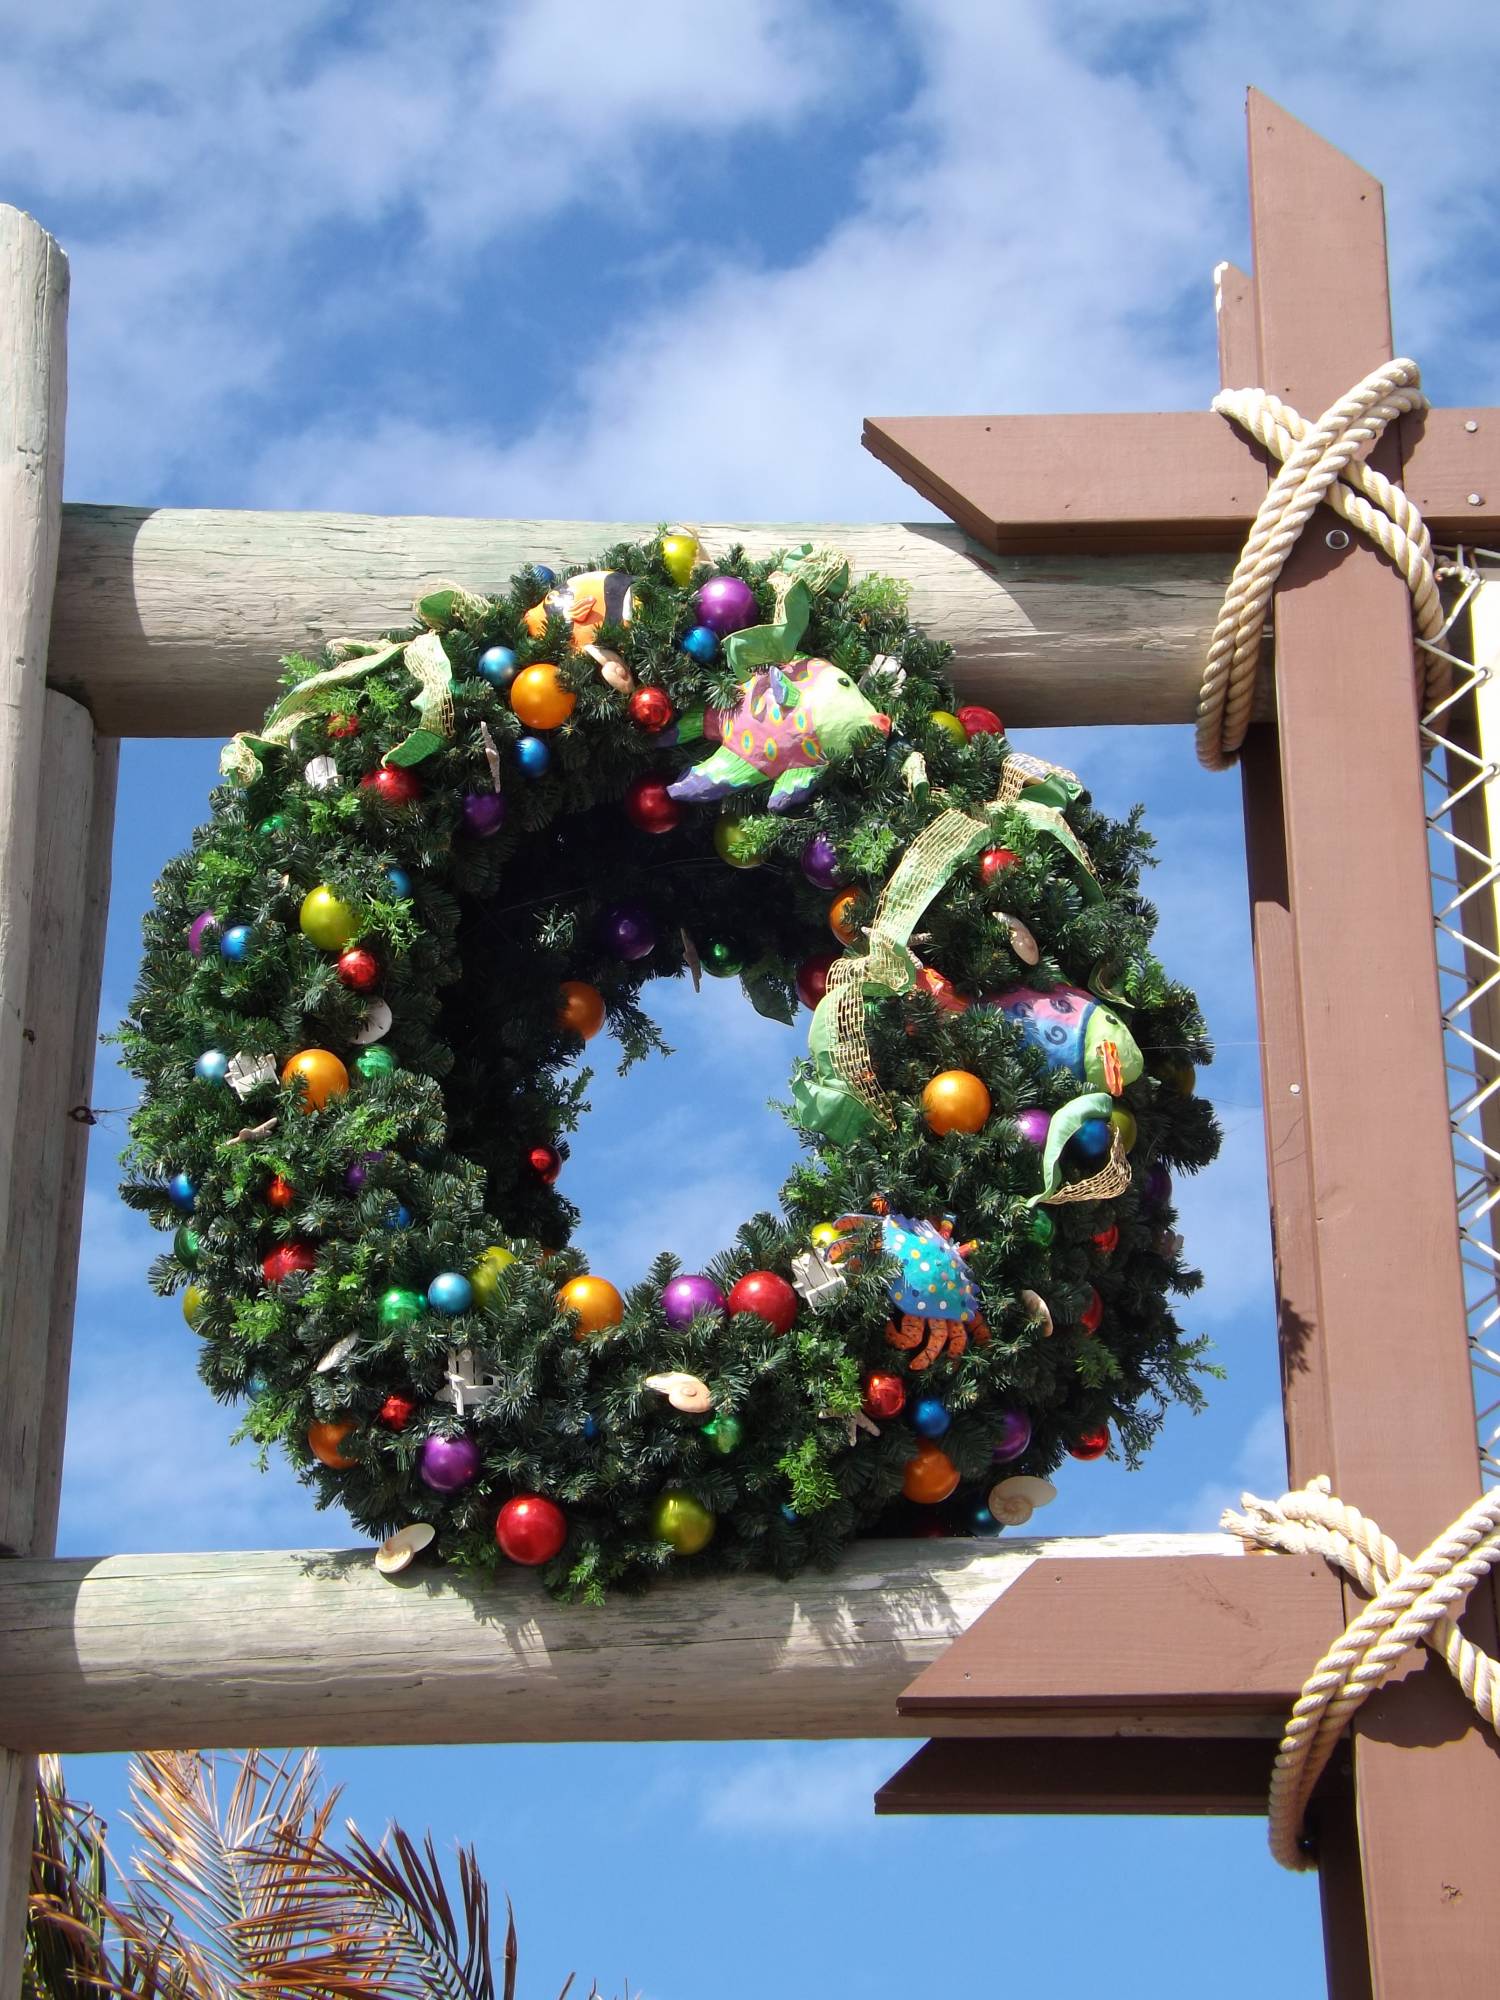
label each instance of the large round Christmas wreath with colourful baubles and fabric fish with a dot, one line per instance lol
(451, 859)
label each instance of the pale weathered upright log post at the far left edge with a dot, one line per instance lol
(33, 405)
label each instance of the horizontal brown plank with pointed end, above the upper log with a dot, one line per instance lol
(1141, 483)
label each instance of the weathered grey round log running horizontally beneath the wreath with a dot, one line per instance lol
(285, 1647)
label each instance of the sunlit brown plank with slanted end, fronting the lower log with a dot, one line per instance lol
(1189, 1635)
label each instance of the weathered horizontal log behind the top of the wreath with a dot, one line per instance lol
(173, 623)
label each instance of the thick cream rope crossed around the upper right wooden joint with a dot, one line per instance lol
(1321, 463)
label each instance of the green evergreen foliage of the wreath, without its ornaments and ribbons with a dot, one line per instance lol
(471, 963)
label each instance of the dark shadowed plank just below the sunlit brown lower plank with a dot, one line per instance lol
(1151, 1775)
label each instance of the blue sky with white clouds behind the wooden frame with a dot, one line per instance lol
(657, 263)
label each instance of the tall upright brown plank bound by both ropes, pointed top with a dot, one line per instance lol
(1391, 1319)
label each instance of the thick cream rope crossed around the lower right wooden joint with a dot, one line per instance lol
(1409, 1603)
